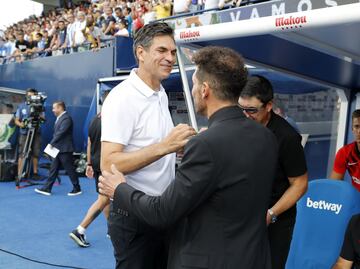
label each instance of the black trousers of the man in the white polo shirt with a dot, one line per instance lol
(136, 245)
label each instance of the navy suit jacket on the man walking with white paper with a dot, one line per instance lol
(63, 134)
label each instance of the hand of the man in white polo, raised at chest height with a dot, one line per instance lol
(177, 138)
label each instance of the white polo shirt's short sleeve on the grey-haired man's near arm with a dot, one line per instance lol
(118, 118)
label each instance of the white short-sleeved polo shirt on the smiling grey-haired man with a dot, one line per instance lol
(136, 116)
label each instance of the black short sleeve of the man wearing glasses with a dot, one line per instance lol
(292, 157)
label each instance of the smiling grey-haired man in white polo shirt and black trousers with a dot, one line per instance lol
(139, 138)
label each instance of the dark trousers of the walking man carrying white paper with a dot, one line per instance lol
(67, 161)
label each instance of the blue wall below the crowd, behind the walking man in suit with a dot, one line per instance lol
(71, 78)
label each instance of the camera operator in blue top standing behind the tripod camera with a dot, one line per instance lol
(23, 119)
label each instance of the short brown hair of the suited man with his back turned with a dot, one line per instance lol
(223, 69)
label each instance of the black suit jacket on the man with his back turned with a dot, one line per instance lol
(218, 201)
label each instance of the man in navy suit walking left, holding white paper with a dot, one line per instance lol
(63, 141)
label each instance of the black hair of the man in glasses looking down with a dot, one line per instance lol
(259, 87)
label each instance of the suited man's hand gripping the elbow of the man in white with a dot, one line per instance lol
(109, 181)
